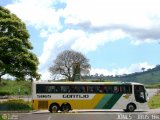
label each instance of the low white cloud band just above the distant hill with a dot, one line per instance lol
(120, 71)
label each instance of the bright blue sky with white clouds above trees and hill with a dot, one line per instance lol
(117, 36)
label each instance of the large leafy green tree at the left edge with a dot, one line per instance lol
(16, 58)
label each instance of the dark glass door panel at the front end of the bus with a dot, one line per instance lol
(140, 93)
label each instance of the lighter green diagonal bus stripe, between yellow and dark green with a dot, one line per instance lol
(103, 101)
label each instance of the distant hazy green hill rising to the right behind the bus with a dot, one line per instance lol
(150, 76)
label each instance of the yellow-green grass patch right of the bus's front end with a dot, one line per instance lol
(154, 102)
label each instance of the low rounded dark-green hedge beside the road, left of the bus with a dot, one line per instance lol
(15, 105)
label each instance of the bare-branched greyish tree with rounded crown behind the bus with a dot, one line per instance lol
(63, 64)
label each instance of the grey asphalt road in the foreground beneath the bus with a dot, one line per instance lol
(84, 115)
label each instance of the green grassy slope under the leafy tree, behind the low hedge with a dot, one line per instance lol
(12, 87)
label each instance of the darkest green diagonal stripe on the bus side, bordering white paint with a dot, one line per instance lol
(112, 101)
